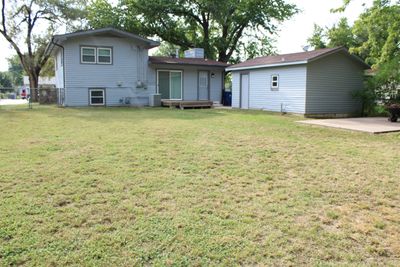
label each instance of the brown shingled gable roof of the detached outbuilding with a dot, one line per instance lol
(292, 59)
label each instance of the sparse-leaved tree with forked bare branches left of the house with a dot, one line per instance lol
(34, 22)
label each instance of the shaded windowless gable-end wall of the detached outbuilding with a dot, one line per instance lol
(330, 84)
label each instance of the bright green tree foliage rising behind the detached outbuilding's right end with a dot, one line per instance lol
(375, 35)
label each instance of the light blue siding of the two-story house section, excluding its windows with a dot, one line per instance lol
(129, 62)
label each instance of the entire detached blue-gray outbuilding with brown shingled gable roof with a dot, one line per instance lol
(314, 83)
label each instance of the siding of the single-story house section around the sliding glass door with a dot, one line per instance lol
(190, 80)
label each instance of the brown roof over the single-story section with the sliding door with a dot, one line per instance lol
(187, 61)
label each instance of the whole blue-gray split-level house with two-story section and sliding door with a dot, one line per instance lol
(112, 67)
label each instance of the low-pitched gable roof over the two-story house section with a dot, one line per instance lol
(109, 31)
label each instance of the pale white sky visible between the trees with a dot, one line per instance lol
(293, 33)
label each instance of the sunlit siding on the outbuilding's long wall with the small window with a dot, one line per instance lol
(290, 97)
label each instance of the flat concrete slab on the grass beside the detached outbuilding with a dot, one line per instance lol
(370, 125)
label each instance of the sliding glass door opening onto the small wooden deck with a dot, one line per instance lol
(169, 84)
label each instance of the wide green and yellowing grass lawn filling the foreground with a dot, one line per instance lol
(119, 186)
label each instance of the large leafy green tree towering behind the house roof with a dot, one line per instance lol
(216, 26)
